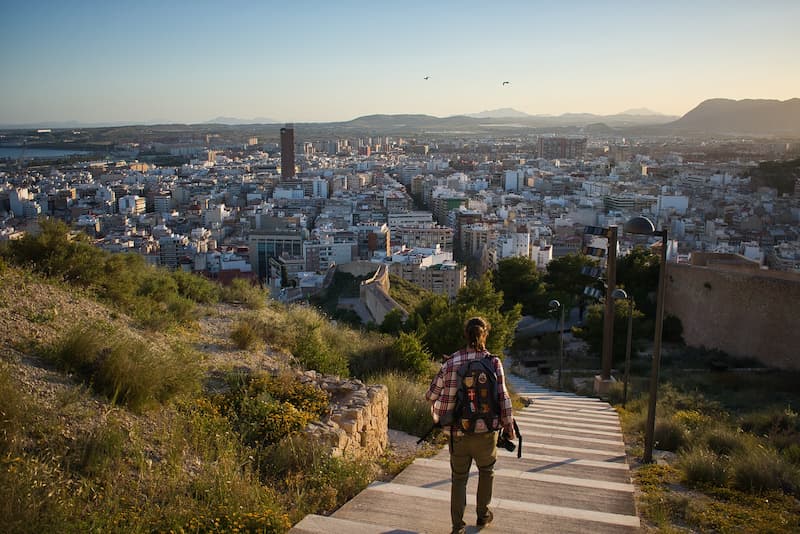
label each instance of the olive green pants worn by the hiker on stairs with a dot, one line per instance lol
(483, 449)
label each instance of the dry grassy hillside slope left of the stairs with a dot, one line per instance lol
(158, 438)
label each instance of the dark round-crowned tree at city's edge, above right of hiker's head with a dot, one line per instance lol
(520, 283)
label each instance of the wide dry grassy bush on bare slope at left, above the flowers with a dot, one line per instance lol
(126, 370)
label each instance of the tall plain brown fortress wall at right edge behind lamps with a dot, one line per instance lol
(742, 312)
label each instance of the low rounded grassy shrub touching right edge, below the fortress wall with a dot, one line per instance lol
(758, 469)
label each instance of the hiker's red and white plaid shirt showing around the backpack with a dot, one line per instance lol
(442, 392)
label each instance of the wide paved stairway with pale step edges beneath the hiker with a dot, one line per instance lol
(572, 477)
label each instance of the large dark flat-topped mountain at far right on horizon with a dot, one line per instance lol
(749, 117)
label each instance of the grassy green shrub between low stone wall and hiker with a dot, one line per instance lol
(409, 411)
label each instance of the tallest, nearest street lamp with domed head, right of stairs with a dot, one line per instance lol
(644, 226)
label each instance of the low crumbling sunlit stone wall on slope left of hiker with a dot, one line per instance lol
(358, 423)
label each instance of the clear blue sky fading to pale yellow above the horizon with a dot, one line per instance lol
(328, 60)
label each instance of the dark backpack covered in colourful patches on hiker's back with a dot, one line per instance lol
(477, 408)
